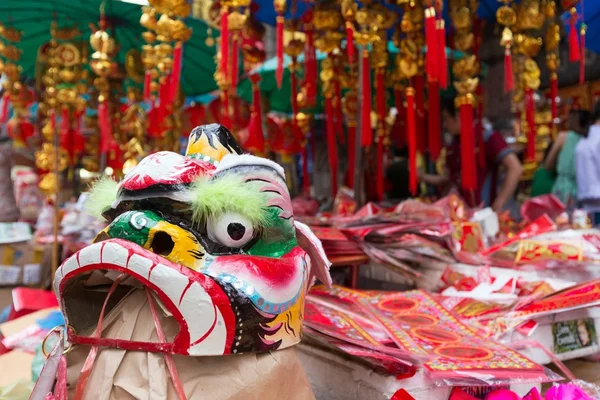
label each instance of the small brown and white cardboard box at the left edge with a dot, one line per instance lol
(20, 264)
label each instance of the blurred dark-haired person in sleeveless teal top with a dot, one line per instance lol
(561, 157)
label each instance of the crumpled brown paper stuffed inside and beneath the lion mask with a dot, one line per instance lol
(120, 374)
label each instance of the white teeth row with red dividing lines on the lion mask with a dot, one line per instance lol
(193, 302)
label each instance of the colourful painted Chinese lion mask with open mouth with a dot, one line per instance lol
(212, 236)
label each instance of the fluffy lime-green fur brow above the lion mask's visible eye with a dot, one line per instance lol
(229, 193)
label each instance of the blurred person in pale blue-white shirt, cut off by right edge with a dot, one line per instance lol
(587, 168)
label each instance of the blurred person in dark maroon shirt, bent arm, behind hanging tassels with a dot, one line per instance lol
(497, 155)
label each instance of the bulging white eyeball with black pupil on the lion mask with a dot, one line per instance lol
(230, 229)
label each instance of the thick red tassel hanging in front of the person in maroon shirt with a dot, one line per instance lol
(467, 148)
